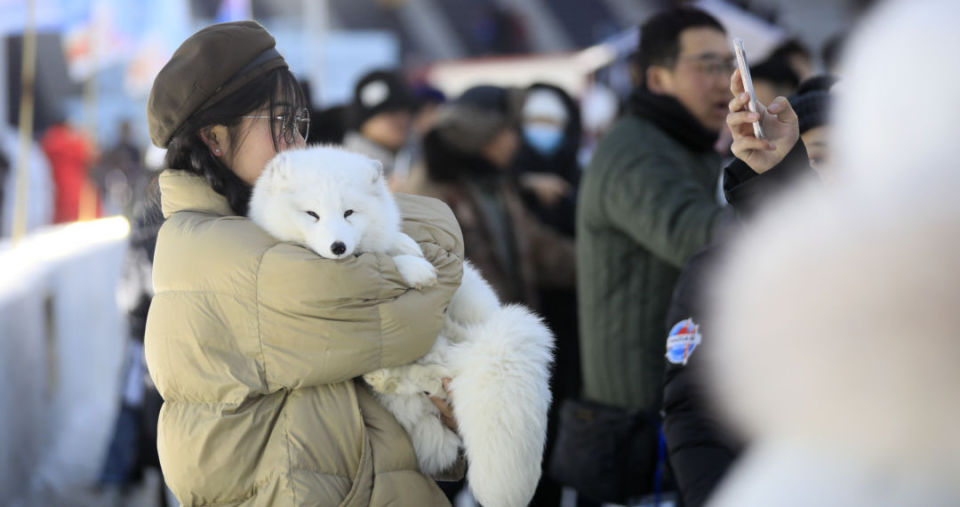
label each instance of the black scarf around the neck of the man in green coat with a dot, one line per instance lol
(668, 114)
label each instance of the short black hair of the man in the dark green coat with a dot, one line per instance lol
(660, 35)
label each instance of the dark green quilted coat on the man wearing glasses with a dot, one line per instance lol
(648, 201)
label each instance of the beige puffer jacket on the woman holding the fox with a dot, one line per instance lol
(254, 345)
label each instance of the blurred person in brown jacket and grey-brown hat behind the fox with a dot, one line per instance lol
(469, 154)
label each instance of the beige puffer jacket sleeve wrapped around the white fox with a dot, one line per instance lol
(323, 321)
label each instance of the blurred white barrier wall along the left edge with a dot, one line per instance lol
(62, 341)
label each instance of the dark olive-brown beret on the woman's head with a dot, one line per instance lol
(210, 65)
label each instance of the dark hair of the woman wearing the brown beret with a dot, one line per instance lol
(278, 89)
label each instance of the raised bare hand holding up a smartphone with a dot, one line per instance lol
(780, 128)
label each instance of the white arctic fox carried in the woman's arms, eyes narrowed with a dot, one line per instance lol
(336, 203)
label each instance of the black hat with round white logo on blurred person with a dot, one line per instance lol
(377, 92)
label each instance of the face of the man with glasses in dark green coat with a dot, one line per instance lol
(700, 76)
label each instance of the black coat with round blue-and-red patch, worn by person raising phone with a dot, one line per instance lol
(700, 450)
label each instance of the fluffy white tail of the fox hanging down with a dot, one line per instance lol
(500, 399)
